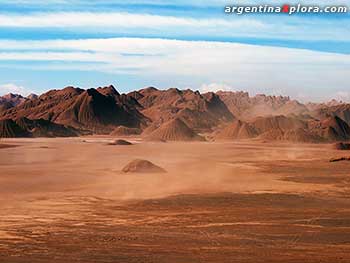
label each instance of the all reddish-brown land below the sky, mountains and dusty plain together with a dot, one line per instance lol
(173, 176)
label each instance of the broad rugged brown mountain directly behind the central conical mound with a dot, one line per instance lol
(198, 111)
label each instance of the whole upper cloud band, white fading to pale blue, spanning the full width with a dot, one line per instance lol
(223, 25)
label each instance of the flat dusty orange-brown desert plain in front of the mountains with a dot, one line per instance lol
(66, 200)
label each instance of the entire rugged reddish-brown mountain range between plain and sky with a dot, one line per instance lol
(172, 114)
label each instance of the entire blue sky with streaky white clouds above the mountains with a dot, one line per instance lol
(174, 43)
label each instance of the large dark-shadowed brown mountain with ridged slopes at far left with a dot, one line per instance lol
(93, 109)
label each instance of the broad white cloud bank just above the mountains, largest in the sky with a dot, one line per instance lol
(257, 69)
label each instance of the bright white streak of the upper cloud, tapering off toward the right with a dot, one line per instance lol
(116, 19)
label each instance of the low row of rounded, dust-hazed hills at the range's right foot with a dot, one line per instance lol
(282, 128)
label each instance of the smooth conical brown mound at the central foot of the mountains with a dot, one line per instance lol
(174, 130)
